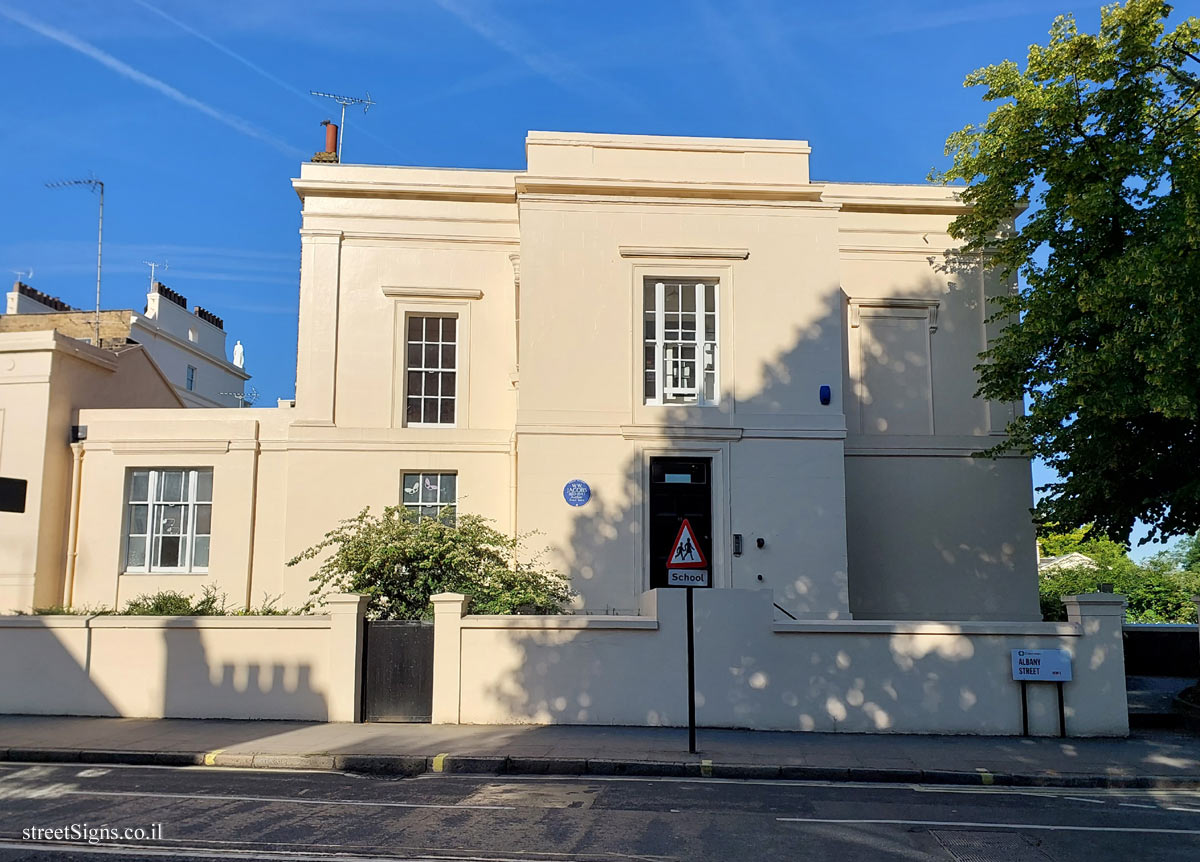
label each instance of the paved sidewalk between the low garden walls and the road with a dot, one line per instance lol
(1148, 759)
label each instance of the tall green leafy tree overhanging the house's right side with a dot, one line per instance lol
(1100, 135)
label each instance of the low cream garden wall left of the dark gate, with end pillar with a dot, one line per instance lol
(278, 668)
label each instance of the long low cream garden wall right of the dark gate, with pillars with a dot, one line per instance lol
(752, 672)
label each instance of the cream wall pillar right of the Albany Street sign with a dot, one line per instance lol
(1096, 699)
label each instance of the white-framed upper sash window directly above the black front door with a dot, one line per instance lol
(680, 342)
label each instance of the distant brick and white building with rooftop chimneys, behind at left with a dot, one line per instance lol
(189, 346)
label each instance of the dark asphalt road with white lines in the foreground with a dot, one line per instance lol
(243, 815)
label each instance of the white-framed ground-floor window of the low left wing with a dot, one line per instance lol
(191, 504)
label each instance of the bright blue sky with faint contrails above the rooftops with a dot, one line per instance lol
(196, 116)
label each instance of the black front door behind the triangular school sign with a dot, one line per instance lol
(680, 488)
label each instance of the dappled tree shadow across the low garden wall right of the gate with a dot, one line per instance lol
(752, 677)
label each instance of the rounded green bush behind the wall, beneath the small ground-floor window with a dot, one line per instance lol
(400, 561)
